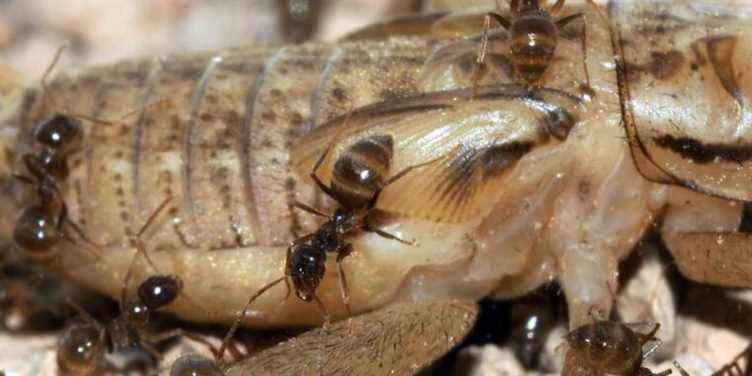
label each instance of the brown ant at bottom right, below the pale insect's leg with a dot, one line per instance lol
(607, 347)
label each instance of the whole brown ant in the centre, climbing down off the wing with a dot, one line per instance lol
(358, 178)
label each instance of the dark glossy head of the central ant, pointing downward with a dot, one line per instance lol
(306, 267)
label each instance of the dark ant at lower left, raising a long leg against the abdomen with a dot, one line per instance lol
(82, 347)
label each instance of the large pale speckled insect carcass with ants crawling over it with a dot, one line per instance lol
(544, 186)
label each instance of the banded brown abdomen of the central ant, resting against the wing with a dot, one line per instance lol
(360, 171)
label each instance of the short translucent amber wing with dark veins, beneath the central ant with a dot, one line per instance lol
(475, 141)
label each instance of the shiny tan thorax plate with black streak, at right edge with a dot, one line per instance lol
(688, 102)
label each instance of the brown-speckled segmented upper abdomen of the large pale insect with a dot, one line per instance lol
(212, 132)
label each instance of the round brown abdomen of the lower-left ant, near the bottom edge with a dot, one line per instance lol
(81, 350)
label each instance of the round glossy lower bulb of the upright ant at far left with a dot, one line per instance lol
(36, 231)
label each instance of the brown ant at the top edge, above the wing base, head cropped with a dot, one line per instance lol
(533, 33)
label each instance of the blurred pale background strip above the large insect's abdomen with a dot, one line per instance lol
(99, 31)
